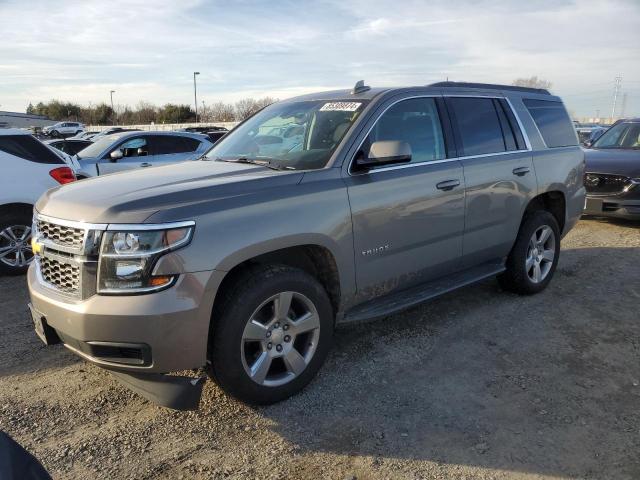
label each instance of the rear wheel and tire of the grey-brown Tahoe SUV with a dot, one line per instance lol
(532, 262)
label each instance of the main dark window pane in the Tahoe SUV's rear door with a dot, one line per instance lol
(478, 125)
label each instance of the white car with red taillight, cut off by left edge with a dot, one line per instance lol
(28, 168)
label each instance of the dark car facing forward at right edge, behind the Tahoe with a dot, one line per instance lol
(613, 172)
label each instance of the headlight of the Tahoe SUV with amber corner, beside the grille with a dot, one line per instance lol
(127, 257)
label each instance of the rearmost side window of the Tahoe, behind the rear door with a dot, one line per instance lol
(553, 122)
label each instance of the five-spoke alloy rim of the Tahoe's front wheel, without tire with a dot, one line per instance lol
(280, 339)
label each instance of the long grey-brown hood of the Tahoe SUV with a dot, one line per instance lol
(135, 195)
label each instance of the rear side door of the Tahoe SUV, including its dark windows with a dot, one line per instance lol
(499, 175)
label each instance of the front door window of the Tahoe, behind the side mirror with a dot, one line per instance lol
(416, 122)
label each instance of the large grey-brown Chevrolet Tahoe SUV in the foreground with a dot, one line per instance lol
(245, 261)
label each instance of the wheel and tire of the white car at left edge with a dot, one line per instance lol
(15, 242)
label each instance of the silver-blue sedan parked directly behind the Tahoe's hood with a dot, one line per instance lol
(130, 150)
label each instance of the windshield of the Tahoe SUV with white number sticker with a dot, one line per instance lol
(298, 135)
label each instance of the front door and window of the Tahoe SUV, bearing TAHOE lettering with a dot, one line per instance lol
(408, 219)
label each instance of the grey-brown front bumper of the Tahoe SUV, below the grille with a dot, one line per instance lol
(173, 324)
